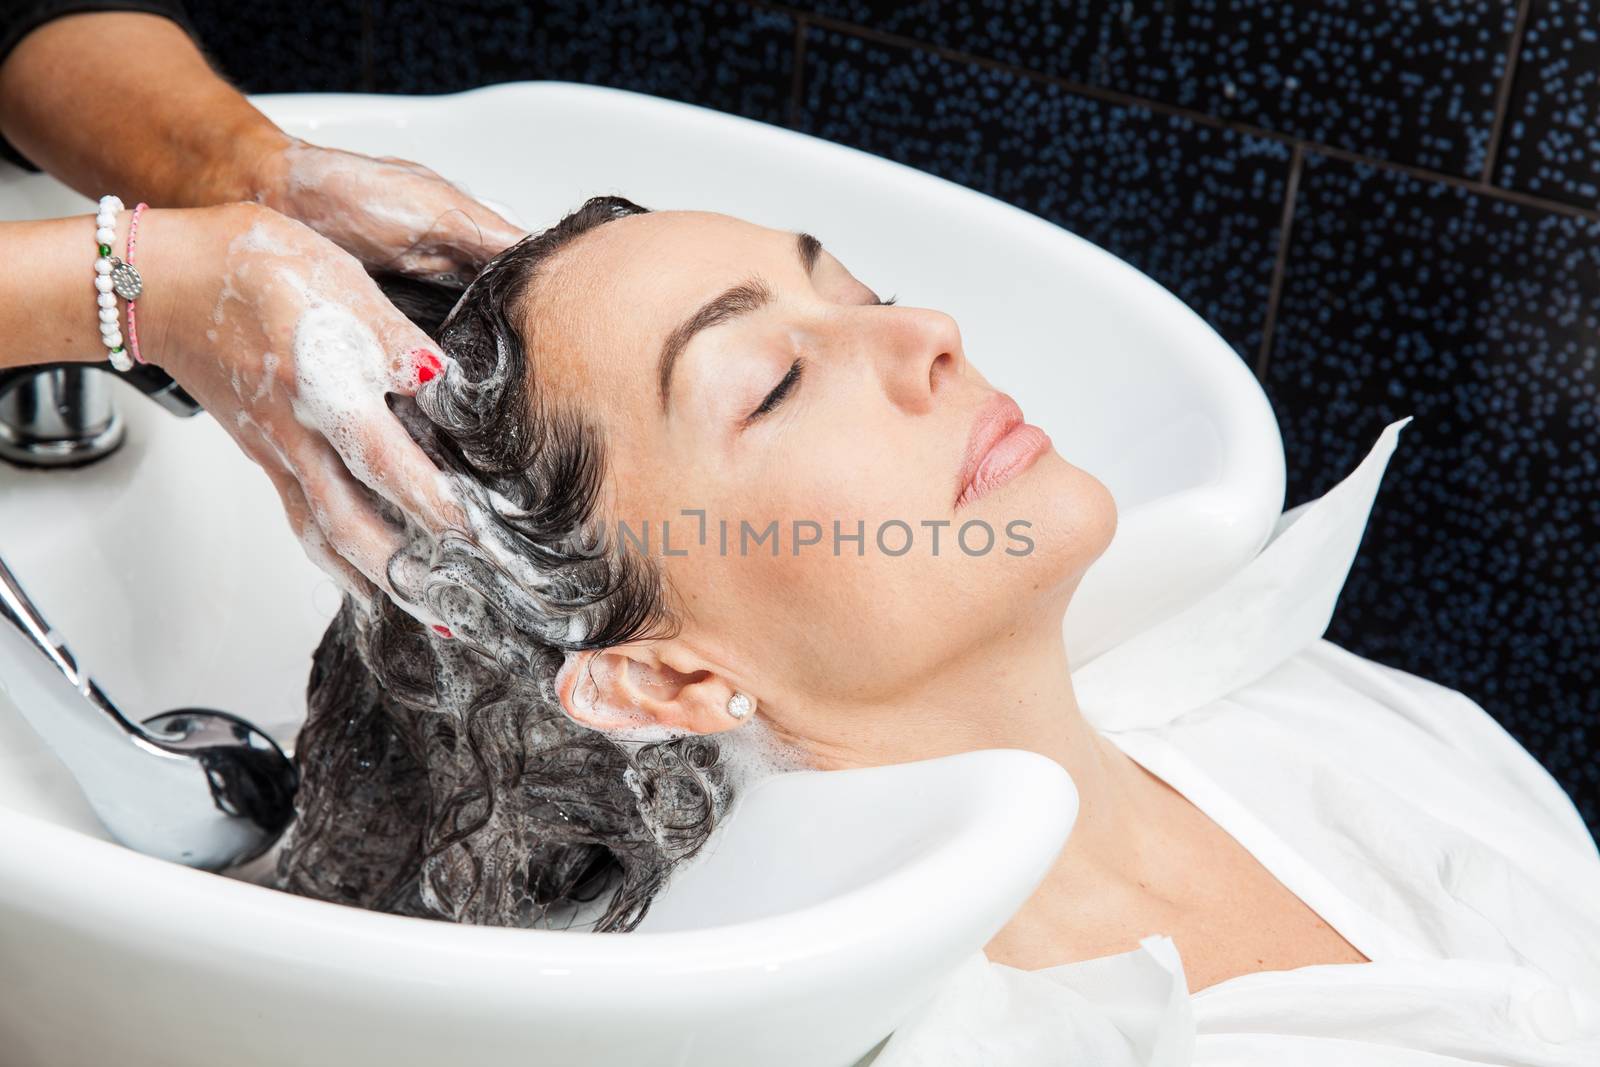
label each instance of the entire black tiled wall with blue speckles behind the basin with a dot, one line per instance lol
(1439, 162)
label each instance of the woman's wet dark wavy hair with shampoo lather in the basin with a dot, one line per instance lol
(441, 778)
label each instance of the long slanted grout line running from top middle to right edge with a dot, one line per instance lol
(1127, 100)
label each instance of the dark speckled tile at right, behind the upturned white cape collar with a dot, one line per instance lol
(1481, 567)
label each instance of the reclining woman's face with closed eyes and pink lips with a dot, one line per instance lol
(807, 404)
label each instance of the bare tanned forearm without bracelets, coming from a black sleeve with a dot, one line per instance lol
(126, 103)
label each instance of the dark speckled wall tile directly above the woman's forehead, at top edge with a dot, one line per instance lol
(714, 54)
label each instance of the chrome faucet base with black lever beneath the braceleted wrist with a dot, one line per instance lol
(65, 415)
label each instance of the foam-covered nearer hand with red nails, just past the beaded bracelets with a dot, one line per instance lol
(292, 348)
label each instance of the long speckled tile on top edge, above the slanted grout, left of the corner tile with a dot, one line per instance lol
(1409, 81)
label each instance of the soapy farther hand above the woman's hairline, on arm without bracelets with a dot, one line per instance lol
(388, 214)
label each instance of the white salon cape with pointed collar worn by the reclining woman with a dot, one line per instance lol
(1394, 807)
